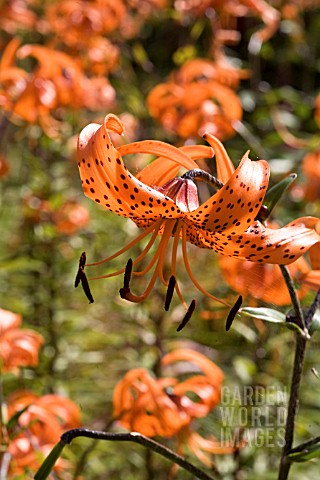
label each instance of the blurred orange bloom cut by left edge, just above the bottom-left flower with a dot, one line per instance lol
(18, 347)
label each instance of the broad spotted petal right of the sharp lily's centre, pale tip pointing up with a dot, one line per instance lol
(235, 206)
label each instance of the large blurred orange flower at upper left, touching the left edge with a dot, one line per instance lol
(57, 81)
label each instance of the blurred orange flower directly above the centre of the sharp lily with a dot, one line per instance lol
(199, 97)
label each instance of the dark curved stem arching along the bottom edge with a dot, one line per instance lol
(46, 467)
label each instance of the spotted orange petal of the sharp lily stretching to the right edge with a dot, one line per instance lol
(265, 245)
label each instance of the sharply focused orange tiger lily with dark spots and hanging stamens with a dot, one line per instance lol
(160, 203)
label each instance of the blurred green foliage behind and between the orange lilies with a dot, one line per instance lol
(90, 347)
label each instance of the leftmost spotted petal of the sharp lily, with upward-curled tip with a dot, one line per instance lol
(108, 182)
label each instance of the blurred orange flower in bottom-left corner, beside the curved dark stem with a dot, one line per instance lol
(38, 428)
